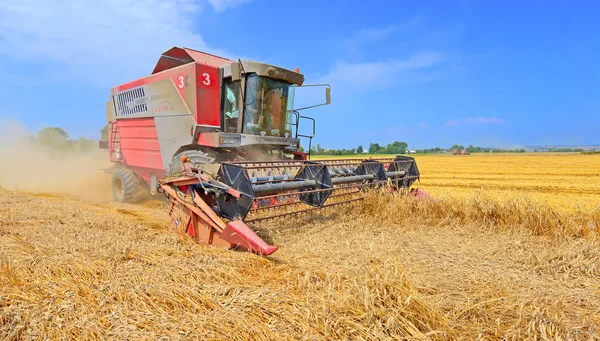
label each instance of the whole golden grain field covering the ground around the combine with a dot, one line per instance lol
(481, 265)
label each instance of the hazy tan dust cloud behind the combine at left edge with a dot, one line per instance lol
(49, 162)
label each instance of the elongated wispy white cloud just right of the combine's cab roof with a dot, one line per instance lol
(380, 73)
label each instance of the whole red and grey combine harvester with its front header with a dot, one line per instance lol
(221, 140)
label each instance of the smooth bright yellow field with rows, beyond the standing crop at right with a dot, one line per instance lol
(567, 181)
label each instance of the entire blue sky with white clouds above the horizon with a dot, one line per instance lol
(488, 73)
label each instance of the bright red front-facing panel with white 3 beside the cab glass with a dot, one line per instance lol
(207, 95)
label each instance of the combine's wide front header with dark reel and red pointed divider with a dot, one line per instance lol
(245, 192)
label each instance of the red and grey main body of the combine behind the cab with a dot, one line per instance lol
(147, 143)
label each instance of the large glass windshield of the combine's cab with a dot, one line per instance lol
(268, 107)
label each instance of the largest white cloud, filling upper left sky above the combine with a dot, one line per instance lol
(105, 42)
